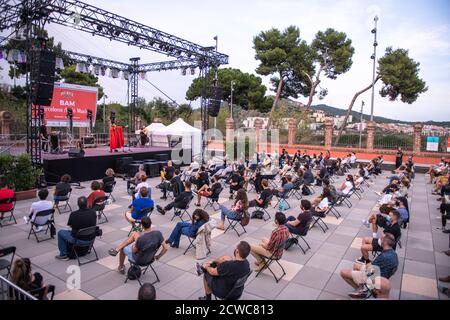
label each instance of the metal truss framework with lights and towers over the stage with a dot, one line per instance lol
(21, 16)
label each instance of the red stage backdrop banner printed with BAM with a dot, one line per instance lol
(79, 98)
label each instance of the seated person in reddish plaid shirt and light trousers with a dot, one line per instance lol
(269, 247)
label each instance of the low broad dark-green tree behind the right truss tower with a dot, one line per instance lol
(249, 92)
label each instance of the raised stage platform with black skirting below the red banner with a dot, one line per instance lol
(95, 162)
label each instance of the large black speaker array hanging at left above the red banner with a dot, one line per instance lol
(43, 76)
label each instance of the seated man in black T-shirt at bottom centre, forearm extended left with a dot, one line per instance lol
(220, 275)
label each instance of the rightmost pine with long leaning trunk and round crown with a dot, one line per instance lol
(400, 76)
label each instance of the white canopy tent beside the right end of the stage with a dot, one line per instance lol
(191, 136)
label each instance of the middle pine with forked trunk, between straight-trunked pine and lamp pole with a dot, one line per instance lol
(333, 54)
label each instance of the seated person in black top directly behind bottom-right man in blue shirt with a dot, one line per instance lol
(389, 224)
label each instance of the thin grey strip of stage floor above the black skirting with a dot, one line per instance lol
(104, 151)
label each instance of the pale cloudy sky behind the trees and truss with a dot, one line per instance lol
(421, 26)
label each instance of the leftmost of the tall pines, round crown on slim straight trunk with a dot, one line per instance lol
(288, 59)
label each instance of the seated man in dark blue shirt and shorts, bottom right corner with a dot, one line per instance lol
(382, 268)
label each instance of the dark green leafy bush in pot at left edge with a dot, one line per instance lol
(20, 175)
